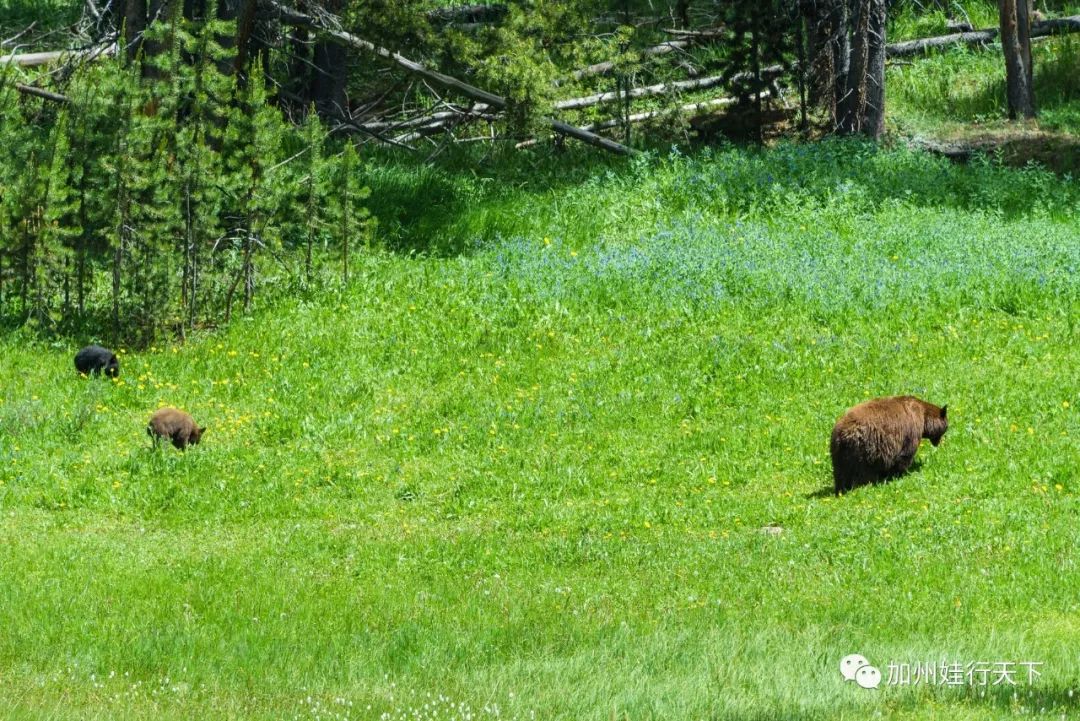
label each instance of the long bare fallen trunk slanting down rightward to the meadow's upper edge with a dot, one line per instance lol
(292, 17)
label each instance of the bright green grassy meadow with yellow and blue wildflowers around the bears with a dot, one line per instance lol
(520, 468)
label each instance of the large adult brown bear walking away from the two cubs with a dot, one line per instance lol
(876, 441)
